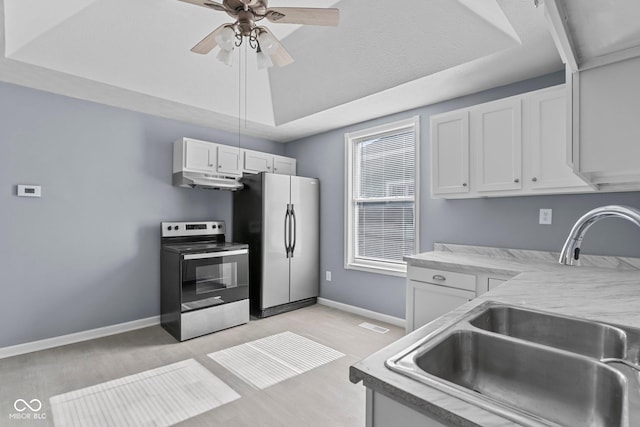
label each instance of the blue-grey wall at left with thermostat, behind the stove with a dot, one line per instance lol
(86, 254)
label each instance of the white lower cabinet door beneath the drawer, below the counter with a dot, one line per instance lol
(432, 301)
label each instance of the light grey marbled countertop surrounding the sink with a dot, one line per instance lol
(593, 292)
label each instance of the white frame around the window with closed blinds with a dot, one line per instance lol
(351, 140)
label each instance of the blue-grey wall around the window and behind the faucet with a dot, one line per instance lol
(505, 222)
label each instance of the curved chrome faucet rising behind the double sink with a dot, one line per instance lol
(571, 248)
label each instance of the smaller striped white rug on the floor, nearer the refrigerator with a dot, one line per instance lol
(267, 361)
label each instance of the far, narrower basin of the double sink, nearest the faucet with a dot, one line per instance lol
(580, 336)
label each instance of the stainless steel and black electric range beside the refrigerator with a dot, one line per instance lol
(204, 279)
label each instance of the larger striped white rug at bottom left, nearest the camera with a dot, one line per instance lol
(159, 397)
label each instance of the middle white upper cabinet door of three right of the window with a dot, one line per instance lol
(496, 140)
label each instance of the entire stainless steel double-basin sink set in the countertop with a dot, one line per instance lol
(532, 367)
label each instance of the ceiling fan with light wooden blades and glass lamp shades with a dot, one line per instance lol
(246, 13)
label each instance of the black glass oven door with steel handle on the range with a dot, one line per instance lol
(214, 278)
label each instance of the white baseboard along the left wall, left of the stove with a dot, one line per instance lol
(29, 347)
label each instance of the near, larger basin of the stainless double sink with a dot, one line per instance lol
(547, 384)
